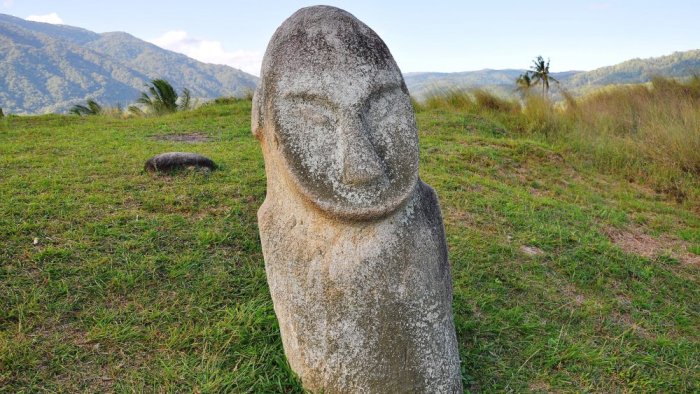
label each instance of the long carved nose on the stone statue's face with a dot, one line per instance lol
(361, 164)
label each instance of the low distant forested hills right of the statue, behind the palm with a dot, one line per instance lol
(502, 82)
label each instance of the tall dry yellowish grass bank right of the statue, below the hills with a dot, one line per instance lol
(650, 133)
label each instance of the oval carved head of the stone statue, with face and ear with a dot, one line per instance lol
(332, 103)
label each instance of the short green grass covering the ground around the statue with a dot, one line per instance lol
(143, 283)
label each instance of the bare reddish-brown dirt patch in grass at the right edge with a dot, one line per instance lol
(635, 241)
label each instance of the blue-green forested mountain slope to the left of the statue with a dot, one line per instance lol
(48, 68)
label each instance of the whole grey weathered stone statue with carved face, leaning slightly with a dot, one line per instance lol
(353, 240)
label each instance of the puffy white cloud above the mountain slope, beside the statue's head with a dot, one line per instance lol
(209, 51)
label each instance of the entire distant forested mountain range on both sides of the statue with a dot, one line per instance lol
(49, 68)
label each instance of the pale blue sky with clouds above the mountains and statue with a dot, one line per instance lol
(426, 35)
